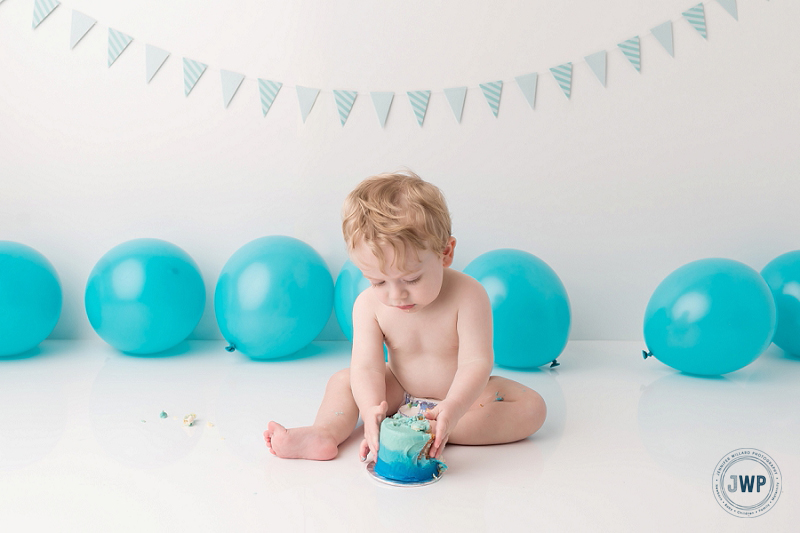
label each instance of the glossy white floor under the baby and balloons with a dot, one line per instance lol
(629, 445)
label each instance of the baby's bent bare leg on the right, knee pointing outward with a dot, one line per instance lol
(507, 411)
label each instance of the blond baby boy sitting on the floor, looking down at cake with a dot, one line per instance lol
(436, 323)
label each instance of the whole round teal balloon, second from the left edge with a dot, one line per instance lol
(145, 296)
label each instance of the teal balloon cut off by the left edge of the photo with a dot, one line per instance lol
(30, 298)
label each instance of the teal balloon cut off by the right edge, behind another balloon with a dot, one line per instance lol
(782, 274)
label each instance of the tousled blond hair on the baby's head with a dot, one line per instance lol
(398, 209)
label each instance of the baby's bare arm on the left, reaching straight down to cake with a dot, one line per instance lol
(368, 372)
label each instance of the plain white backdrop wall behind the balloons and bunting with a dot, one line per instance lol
(696, 156)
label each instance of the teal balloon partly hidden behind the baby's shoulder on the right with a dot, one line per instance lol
(530, 307)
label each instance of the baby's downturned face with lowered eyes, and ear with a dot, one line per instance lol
(410, 288)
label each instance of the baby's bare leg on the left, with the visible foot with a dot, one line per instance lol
(335, 421)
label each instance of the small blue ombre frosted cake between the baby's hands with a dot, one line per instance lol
(403, 450)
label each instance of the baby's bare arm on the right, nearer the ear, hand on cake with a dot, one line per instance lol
(475, 361)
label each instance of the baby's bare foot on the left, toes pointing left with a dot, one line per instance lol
(300, 443)
